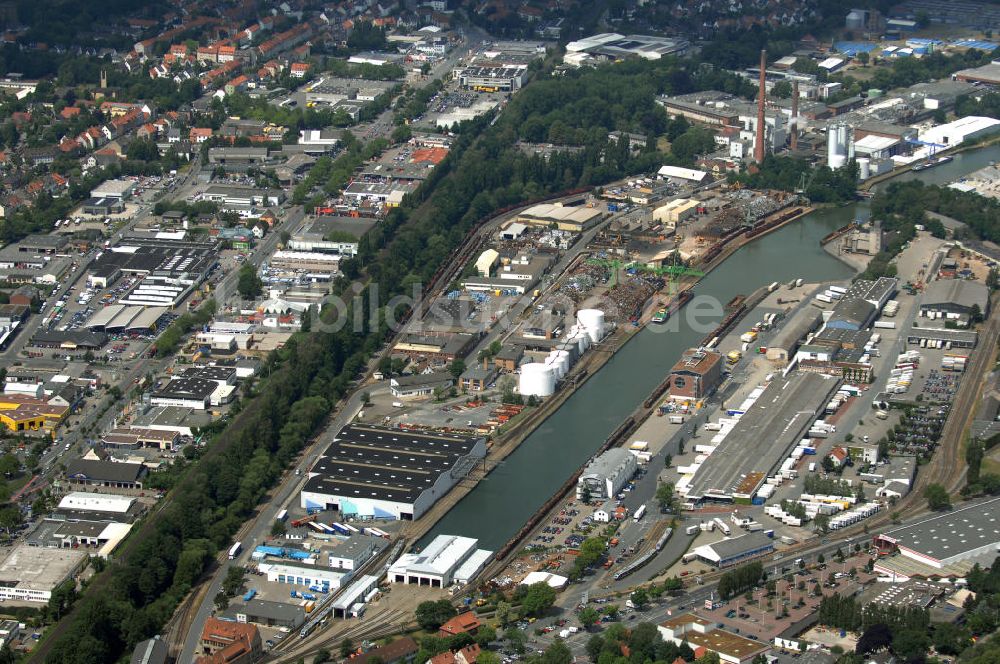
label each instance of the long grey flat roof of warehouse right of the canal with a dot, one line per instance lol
(763, 435)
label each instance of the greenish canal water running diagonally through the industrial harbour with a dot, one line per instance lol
(500, 504)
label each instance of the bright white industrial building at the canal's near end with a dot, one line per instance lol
(439, 563)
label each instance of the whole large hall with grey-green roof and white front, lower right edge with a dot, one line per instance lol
(963, 534)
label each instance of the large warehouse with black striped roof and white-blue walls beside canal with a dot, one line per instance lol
(377, 472)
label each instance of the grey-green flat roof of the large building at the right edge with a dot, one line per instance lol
(952, 534)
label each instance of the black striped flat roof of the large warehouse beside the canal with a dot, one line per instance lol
(385, 463)
